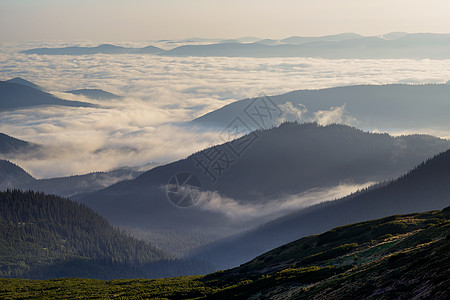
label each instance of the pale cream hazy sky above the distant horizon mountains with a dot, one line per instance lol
(114, 20)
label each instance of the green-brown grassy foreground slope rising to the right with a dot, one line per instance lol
(405, 256)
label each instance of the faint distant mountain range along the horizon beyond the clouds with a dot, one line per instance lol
(347, 45)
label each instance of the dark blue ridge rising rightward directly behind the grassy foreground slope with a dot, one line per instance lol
(423, 188)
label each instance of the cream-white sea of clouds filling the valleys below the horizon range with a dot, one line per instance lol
(160, 94)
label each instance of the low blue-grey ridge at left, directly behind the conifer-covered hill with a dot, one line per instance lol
(13, 177)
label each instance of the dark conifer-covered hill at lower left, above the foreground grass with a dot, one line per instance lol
(43, 236)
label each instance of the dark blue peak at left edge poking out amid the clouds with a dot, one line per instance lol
(13, 95)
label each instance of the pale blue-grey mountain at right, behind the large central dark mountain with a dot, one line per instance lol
(400, 107)
